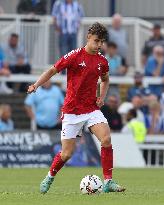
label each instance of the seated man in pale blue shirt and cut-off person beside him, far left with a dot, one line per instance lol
(13, 60)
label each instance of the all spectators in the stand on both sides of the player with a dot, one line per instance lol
(143, 110)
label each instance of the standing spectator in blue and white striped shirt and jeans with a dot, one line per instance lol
(67, 16)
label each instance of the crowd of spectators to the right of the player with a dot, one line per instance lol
(142, 112)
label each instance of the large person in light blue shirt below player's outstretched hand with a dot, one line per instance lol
(44, 106)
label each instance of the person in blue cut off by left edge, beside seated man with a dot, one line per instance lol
(4, 71)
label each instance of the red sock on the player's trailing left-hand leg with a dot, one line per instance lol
(57, 164)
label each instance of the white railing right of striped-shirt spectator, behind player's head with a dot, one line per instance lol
(138, 32)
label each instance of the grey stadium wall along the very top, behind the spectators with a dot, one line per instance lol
(93, 8)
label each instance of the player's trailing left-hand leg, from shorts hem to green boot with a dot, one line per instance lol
(68, 146)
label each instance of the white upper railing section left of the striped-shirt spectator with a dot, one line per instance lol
(34, 35)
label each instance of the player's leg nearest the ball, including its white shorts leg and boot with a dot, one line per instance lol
(100, 128)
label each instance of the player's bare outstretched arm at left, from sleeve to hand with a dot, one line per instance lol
(42, 79)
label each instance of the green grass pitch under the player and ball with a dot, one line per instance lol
(21, 187)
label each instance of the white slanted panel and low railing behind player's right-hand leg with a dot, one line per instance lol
(129, 154)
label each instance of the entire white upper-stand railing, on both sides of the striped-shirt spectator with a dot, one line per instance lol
(40, 40)
